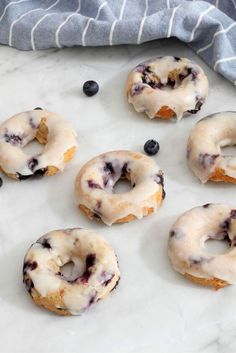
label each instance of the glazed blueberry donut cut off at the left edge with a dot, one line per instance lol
(49, 129)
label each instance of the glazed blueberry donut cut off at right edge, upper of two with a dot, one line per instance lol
(204, 148)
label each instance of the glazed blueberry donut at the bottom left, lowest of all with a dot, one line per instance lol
(94, 275)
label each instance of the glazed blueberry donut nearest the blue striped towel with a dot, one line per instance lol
(167, 87)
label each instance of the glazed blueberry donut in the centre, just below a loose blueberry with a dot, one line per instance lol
(95, 182)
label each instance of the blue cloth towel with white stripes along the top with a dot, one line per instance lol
(209, 27)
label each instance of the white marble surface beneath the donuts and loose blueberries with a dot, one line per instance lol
(153, 309)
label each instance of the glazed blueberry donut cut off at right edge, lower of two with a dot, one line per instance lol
(187, 250)
